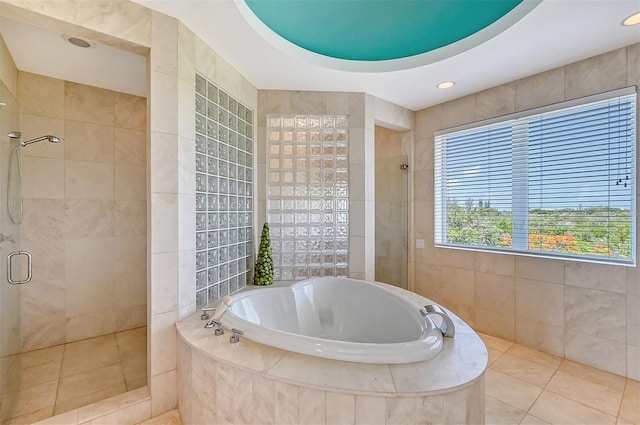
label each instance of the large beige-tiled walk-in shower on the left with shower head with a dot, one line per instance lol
(73, 208)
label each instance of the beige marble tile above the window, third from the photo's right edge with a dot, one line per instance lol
(541, 89)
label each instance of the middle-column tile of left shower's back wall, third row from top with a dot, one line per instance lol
(88, 180)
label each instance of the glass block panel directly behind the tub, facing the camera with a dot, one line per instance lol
(308, 195)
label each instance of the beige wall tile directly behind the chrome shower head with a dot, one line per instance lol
(35, 126)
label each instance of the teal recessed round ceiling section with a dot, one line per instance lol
(376, 30)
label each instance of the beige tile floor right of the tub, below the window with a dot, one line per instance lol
(528, 387)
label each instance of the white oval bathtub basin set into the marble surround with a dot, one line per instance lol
(336, 318)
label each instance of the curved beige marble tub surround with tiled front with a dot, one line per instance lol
(249, 382)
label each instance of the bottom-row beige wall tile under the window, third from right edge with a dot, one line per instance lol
(542, 336)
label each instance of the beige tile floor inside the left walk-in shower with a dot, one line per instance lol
(58, 379)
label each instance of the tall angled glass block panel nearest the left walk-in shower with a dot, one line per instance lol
(224, 193)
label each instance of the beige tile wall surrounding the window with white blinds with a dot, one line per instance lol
(583, 311)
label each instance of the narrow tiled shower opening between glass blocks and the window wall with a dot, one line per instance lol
(392, 206)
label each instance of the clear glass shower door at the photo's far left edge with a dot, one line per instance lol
(10, 337)
